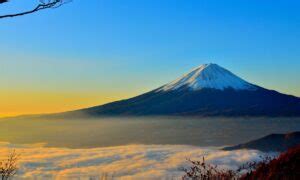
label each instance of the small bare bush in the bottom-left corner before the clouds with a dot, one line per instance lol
(8, 167)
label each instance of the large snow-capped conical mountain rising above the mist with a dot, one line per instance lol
(208, 90)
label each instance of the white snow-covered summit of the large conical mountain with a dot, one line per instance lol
(209, 76)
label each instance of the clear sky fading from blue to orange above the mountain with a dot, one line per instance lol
(87, 53)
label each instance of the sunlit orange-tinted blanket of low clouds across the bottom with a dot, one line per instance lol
(120, 162)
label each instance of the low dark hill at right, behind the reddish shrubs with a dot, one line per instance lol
(272, 142)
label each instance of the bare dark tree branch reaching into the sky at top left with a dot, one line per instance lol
(43, 4)
